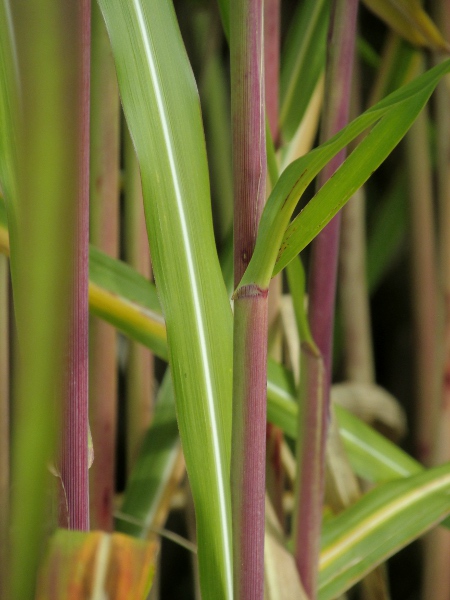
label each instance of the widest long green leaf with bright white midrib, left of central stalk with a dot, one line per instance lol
(162, 109)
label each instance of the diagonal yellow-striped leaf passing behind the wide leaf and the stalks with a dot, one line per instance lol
(373, 457)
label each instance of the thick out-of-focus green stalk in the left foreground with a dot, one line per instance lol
(49, 56)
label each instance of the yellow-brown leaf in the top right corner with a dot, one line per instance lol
(409, 20)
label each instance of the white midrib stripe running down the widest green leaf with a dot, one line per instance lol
(193, 279)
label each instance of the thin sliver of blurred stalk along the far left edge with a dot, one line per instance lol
(4, 421)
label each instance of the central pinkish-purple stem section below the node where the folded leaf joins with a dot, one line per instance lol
(249, 443)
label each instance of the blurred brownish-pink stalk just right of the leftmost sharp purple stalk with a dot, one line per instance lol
(104, 229)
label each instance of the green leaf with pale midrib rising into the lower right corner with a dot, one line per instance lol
(381, 523)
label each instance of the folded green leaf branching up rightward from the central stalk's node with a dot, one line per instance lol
(391, 118)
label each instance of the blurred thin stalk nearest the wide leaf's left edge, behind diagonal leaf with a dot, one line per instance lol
(140, 360)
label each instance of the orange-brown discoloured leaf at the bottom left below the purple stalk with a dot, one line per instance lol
(96, 565)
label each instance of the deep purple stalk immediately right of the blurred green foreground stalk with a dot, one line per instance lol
(74, 449)
